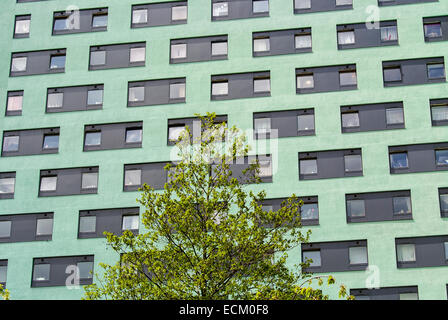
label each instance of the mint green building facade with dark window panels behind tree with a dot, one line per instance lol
(350, 97)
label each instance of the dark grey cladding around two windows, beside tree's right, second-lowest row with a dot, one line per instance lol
(335, 256)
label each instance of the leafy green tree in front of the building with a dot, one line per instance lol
(207, 235)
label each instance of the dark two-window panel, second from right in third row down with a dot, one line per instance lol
(326, 79)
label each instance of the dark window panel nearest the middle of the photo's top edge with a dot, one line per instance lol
(239, 9)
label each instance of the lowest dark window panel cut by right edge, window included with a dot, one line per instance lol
(420, 252)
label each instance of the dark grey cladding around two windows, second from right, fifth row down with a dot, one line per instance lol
(330, 164)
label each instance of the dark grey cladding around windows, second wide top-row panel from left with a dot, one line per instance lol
(159, 14)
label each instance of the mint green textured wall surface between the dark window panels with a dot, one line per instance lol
(333, 227)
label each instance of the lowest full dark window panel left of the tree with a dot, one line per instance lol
(54, 271)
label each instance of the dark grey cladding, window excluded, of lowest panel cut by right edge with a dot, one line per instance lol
(429, 251)
